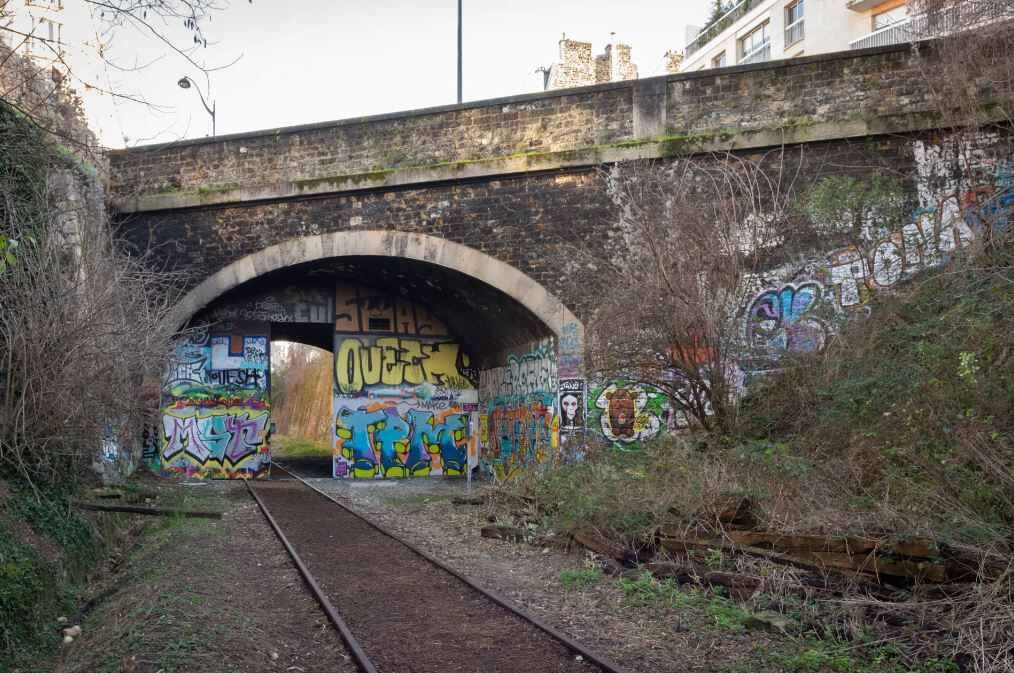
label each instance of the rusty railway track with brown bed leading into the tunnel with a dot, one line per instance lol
(399, 610)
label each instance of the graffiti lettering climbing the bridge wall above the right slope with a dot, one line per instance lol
(798, 309)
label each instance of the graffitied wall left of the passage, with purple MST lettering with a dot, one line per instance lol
(215, 415)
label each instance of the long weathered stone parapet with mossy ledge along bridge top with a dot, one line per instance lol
(824, 98)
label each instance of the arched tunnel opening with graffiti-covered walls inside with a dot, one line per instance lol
(410, 344)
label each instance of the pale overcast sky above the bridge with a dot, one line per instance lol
(315, 60)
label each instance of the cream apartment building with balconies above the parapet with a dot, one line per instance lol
(758, 31)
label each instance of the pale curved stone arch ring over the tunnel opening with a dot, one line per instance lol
(415, 247)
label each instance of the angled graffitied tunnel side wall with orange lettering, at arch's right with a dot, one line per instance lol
(520, 422)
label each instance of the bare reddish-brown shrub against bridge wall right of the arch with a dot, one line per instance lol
(694, 236)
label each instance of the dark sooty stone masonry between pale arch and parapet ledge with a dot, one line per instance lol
(528, 221)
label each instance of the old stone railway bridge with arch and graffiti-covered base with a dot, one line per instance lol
(428, 250)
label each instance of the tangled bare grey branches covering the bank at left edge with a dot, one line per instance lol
(83, 325)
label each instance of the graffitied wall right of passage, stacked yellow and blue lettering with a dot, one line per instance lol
(405, 393)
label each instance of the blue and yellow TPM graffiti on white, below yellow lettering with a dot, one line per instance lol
(389, 440)
